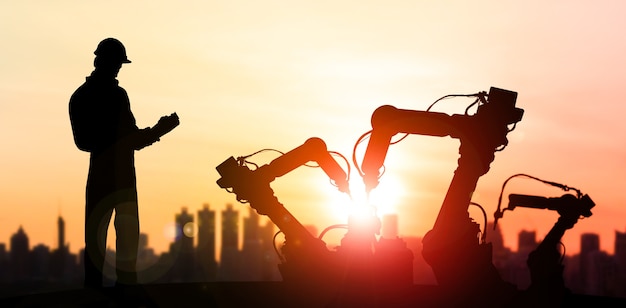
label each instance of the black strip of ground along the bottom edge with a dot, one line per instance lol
(250, 294)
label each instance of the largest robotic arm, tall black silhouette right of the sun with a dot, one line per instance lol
(454, 234)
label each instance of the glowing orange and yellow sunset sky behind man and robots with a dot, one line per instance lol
(249, 75)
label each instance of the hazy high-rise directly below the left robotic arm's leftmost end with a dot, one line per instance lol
(230, 257)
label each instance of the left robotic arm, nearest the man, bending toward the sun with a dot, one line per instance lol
(306, 256)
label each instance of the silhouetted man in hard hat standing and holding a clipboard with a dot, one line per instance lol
(103, 124)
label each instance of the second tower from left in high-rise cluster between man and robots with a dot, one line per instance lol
(205, 251)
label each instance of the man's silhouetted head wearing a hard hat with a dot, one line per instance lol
(110, 55)
